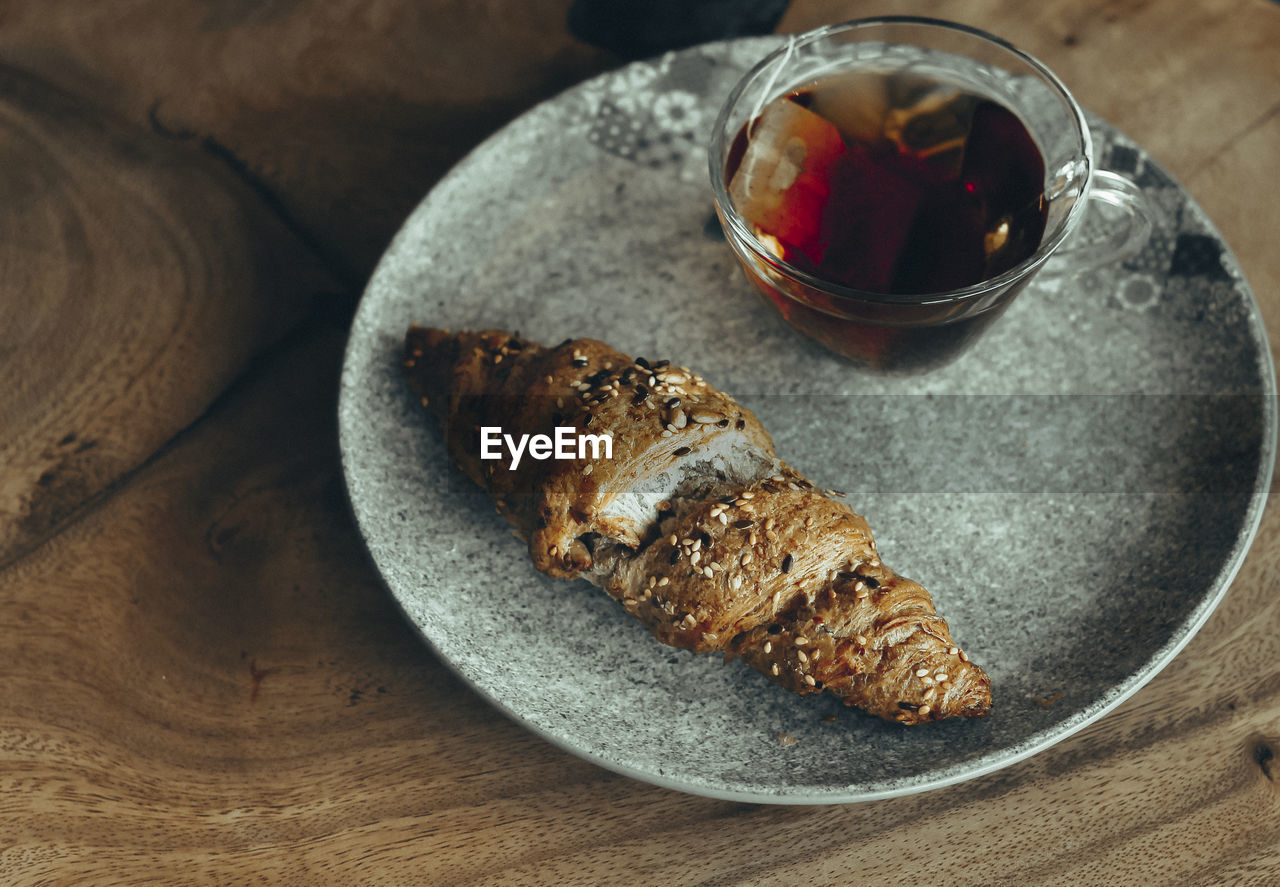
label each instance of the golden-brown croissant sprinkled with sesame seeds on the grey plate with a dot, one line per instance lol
(692, 523)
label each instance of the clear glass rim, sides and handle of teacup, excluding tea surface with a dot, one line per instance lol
(915, 333)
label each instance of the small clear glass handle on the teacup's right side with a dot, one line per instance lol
(1117, 225)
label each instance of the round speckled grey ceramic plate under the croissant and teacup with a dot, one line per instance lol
(1077, 493)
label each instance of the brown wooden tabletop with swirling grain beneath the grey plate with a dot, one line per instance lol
(202, 679)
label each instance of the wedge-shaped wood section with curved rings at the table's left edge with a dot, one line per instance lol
(126, 258)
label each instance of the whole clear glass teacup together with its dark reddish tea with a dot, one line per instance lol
(889, 111)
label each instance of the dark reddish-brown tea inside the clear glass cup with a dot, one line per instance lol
(890, 184)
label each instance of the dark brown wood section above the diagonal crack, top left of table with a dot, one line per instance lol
(345, 112)
